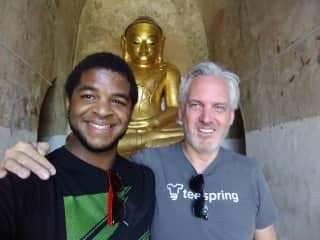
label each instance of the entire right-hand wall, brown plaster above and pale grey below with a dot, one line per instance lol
(274, 46)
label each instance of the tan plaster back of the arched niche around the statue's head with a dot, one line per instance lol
(182, 25)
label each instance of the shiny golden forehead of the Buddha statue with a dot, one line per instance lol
(141, 29)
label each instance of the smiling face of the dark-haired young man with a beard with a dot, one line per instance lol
(100, 108)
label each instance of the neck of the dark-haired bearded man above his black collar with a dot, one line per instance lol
(103, 160)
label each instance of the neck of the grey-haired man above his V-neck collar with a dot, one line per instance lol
(200, 160)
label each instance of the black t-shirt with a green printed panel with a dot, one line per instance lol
(73, 204)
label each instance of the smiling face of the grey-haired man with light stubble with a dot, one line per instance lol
(207, 114)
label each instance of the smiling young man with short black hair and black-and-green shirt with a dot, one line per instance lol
(96, 194)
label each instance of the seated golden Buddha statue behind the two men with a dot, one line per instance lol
(154, 117)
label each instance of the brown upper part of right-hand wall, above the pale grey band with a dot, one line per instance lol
(276, 55)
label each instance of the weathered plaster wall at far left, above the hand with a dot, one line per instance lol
(26, 66)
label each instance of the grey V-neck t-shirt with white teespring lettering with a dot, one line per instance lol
(236, 193)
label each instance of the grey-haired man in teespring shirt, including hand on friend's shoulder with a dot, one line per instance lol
(203, 191)
